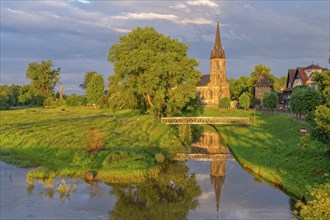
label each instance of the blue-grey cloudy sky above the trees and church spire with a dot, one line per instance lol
(76, 34)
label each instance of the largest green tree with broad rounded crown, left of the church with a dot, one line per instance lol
(155, 70)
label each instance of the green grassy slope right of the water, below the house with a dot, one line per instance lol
(274, 149)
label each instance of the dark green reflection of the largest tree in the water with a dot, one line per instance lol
(170, 196)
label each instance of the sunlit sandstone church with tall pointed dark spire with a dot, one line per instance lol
(214, 86)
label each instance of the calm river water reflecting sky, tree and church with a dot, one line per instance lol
(218, 189)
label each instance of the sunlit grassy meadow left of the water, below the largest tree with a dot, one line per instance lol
(55, 141)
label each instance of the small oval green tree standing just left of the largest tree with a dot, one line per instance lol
(95, 89)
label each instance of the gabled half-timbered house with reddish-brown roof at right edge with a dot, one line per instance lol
(297, 77)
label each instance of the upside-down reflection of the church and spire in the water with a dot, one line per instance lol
(211, 143)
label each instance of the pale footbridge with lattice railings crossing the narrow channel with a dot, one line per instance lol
(205, 120)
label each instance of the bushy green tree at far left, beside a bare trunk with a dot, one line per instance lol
(43, 78)
